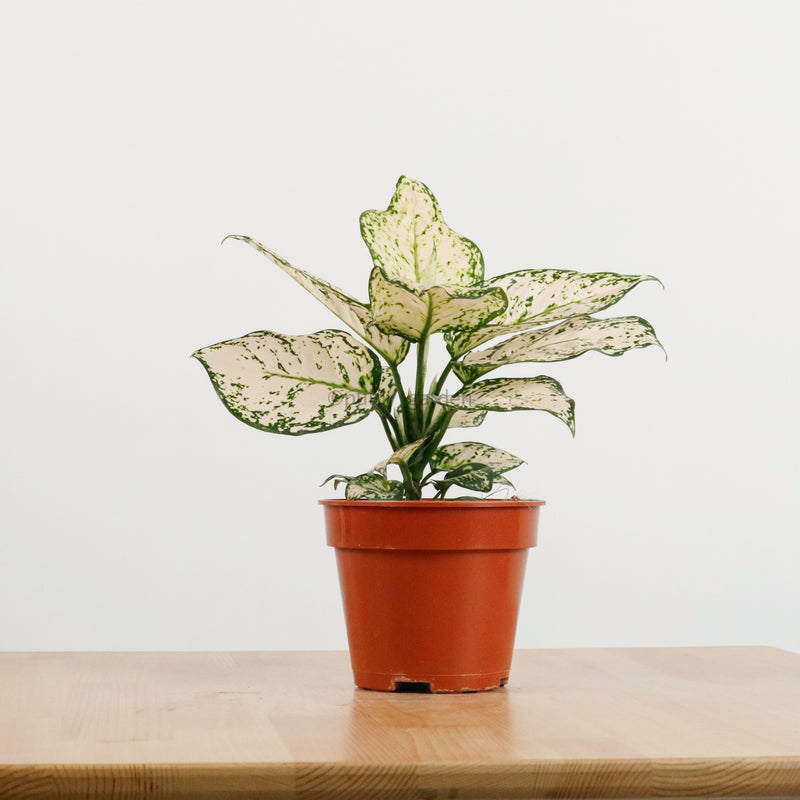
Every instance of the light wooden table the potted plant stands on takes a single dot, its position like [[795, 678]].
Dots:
[[711, 722]]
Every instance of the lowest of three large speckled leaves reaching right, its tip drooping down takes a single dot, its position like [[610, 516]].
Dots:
[[514, 394]]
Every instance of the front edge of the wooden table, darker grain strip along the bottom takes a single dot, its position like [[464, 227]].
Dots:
[[540, 778]]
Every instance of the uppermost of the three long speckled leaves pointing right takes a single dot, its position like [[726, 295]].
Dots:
[[540, 296]]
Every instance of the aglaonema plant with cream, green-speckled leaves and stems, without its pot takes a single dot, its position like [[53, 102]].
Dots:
[[425, 280]]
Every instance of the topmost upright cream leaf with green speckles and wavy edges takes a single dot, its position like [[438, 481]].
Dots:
[[412, 243]]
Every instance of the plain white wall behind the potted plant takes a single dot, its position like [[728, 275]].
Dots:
[[635, 136]]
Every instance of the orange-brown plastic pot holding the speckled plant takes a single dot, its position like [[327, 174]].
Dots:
[[431, 589]]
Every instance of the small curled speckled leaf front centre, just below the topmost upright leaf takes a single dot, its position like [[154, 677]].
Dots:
[[413, 312]]
